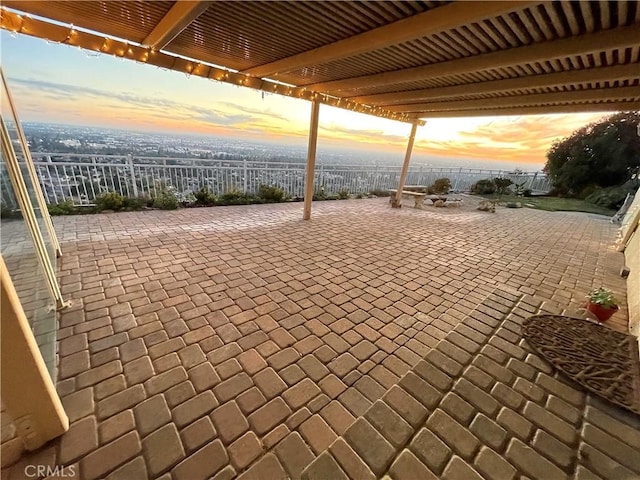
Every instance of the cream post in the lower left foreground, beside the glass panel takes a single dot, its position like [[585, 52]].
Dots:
[[27, 390]]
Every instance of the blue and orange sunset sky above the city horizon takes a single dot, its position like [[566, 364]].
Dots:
[[61, 84]]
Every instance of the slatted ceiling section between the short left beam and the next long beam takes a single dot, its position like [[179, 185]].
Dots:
[[247, 34]]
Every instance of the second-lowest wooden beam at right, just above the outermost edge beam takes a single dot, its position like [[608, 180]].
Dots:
[[601, 94]]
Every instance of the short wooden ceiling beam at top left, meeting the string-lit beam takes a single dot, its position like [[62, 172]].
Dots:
[[175, 21]]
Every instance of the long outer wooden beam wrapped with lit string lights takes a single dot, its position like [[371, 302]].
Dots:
[[68, 35]]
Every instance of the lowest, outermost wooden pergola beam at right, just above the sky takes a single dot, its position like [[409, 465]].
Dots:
[[543, 110]]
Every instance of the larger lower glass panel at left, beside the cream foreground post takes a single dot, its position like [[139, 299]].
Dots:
[[23, 264]]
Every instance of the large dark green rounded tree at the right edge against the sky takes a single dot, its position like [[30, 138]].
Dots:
[[603, 154]]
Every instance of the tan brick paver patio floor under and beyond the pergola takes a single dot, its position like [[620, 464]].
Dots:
[[244, 342]]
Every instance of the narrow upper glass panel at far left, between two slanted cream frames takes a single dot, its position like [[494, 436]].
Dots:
[[10, 123]]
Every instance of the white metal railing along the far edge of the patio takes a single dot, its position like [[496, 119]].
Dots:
[[80, 178]]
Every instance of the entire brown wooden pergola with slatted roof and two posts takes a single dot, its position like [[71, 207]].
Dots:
[[403, 60]]
